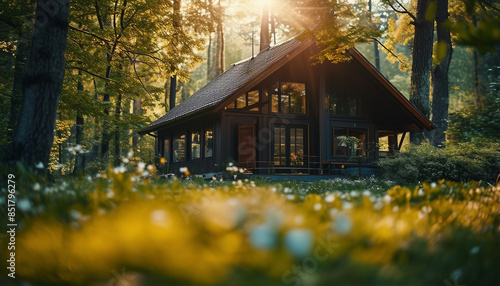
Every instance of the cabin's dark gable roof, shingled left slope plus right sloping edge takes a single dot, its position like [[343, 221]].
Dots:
[[245, 74]]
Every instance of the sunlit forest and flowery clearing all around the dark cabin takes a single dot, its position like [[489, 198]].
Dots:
[[86, 200]]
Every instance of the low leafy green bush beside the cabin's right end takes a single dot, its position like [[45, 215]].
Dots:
[[479, 161]]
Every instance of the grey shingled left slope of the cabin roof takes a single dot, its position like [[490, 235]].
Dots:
[[230, 82]]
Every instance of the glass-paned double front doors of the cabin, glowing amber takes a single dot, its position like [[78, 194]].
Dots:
[[290, 148]]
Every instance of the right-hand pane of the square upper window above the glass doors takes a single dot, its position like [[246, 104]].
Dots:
[[295, 94]]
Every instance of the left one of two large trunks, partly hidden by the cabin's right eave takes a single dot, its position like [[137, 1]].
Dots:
[[421, 65]]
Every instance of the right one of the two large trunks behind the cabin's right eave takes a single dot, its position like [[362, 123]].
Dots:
[[440, 83]]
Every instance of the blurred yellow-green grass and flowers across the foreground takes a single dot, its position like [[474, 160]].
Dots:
[[119, 229]]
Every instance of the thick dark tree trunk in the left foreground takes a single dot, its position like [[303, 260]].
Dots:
[[42, 85]]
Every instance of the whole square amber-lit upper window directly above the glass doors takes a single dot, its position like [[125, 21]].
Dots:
[[288, 97]]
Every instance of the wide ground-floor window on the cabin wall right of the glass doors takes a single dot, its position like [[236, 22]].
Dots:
[[350, 142]]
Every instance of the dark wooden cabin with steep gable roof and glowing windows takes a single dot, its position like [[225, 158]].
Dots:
[[276, 113]]
